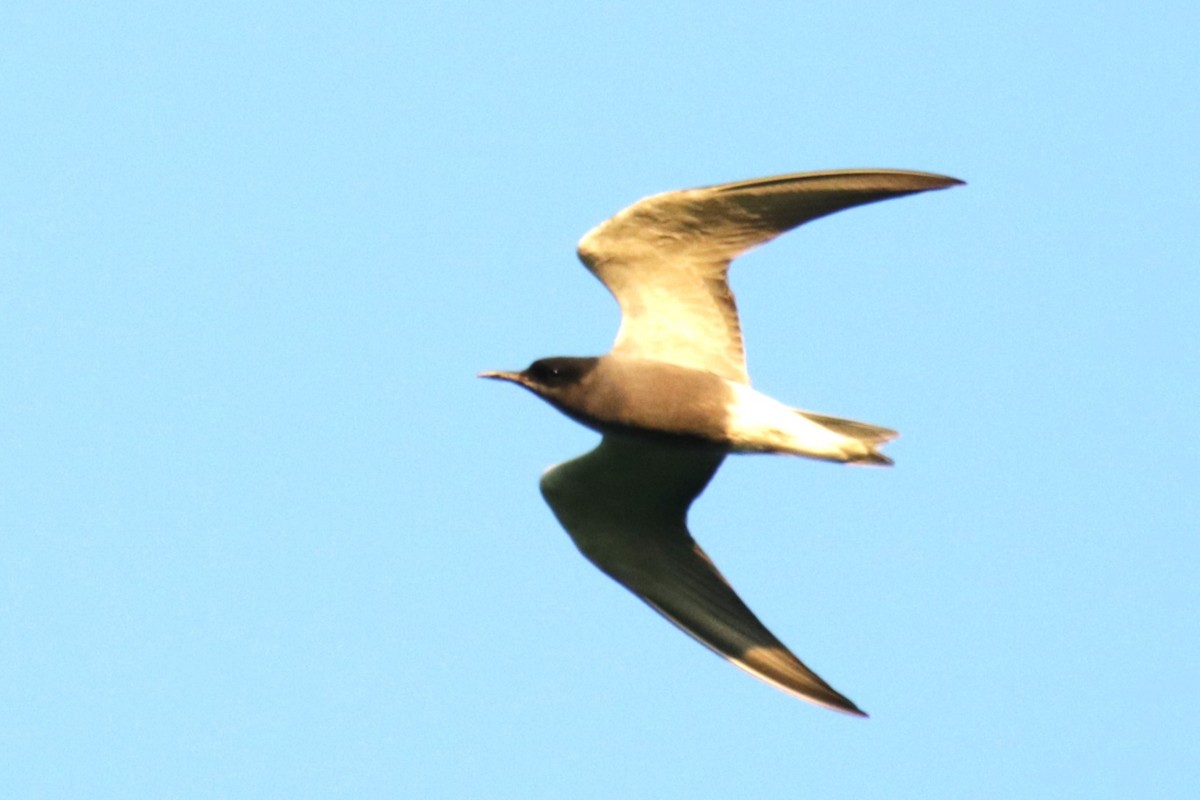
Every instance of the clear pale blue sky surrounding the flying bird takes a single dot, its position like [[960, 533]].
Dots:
[[265, 534]]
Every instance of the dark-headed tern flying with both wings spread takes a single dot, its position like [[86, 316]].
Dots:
[[673, 399]]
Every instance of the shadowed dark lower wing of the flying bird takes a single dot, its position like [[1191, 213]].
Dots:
[[626, 506]]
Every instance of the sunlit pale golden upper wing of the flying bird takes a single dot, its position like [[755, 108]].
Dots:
[[665, 258]]
